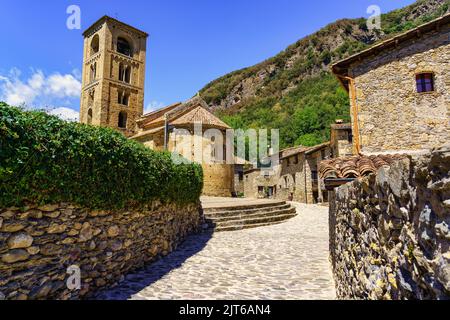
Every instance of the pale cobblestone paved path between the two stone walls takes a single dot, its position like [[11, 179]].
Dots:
[[286, 261]]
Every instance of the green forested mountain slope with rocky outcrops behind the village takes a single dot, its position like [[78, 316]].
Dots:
[[295, 91]]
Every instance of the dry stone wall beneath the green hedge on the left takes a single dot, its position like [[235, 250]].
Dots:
[[38, 245]]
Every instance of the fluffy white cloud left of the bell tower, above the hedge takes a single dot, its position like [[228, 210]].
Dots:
[[38, 90]]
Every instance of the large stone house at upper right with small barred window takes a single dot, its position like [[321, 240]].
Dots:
[[400, 91]]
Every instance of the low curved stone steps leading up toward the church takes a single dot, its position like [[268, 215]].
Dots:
[[246, 216]]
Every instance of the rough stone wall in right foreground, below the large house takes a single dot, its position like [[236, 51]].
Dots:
[[389, 233]]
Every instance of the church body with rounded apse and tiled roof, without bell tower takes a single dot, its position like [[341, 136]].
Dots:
[[159, 130]]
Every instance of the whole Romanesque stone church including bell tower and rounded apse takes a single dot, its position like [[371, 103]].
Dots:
[[112, 95]]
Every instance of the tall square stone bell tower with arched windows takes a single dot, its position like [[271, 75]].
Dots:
[[113, 75]]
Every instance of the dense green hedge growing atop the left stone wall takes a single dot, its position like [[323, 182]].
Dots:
[[45, 160]]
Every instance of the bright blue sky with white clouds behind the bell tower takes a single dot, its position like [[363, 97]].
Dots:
[[191, 42]]
